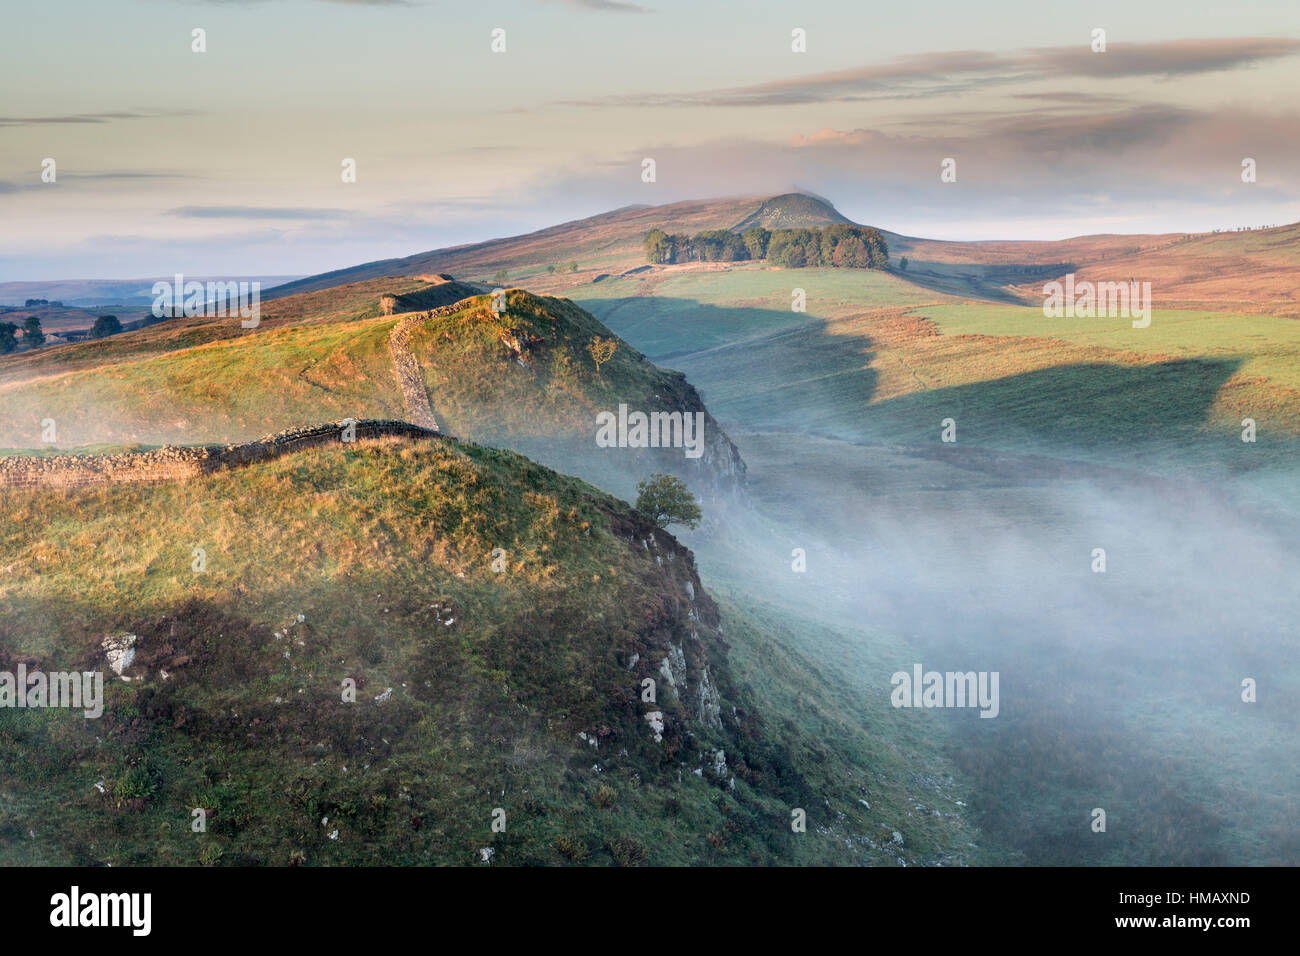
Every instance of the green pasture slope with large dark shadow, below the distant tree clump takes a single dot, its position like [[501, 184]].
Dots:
[[870, 364]]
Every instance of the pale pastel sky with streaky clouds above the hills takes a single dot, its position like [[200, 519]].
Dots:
[[228, 162]]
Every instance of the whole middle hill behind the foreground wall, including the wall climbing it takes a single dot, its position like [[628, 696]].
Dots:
[[523, 379]]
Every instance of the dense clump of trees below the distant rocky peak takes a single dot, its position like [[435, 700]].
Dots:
[[839, 246]]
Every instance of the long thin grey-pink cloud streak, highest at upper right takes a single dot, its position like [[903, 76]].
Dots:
[[965, 71]]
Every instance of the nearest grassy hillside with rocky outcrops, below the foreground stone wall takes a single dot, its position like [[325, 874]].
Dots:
[[385, 550]]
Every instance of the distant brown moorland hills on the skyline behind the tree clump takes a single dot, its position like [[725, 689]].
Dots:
[[1249, 271]]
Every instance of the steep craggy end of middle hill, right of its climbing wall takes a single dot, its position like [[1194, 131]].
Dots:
[[539, 375]]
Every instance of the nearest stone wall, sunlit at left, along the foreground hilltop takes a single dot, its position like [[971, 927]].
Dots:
[[172, 464]]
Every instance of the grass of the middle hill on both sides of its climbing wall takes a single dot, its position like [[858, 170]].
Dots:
[[330, 369]]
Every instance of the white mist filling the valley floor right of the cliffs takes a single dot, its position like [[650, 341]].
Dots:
[[1120, 690]]
